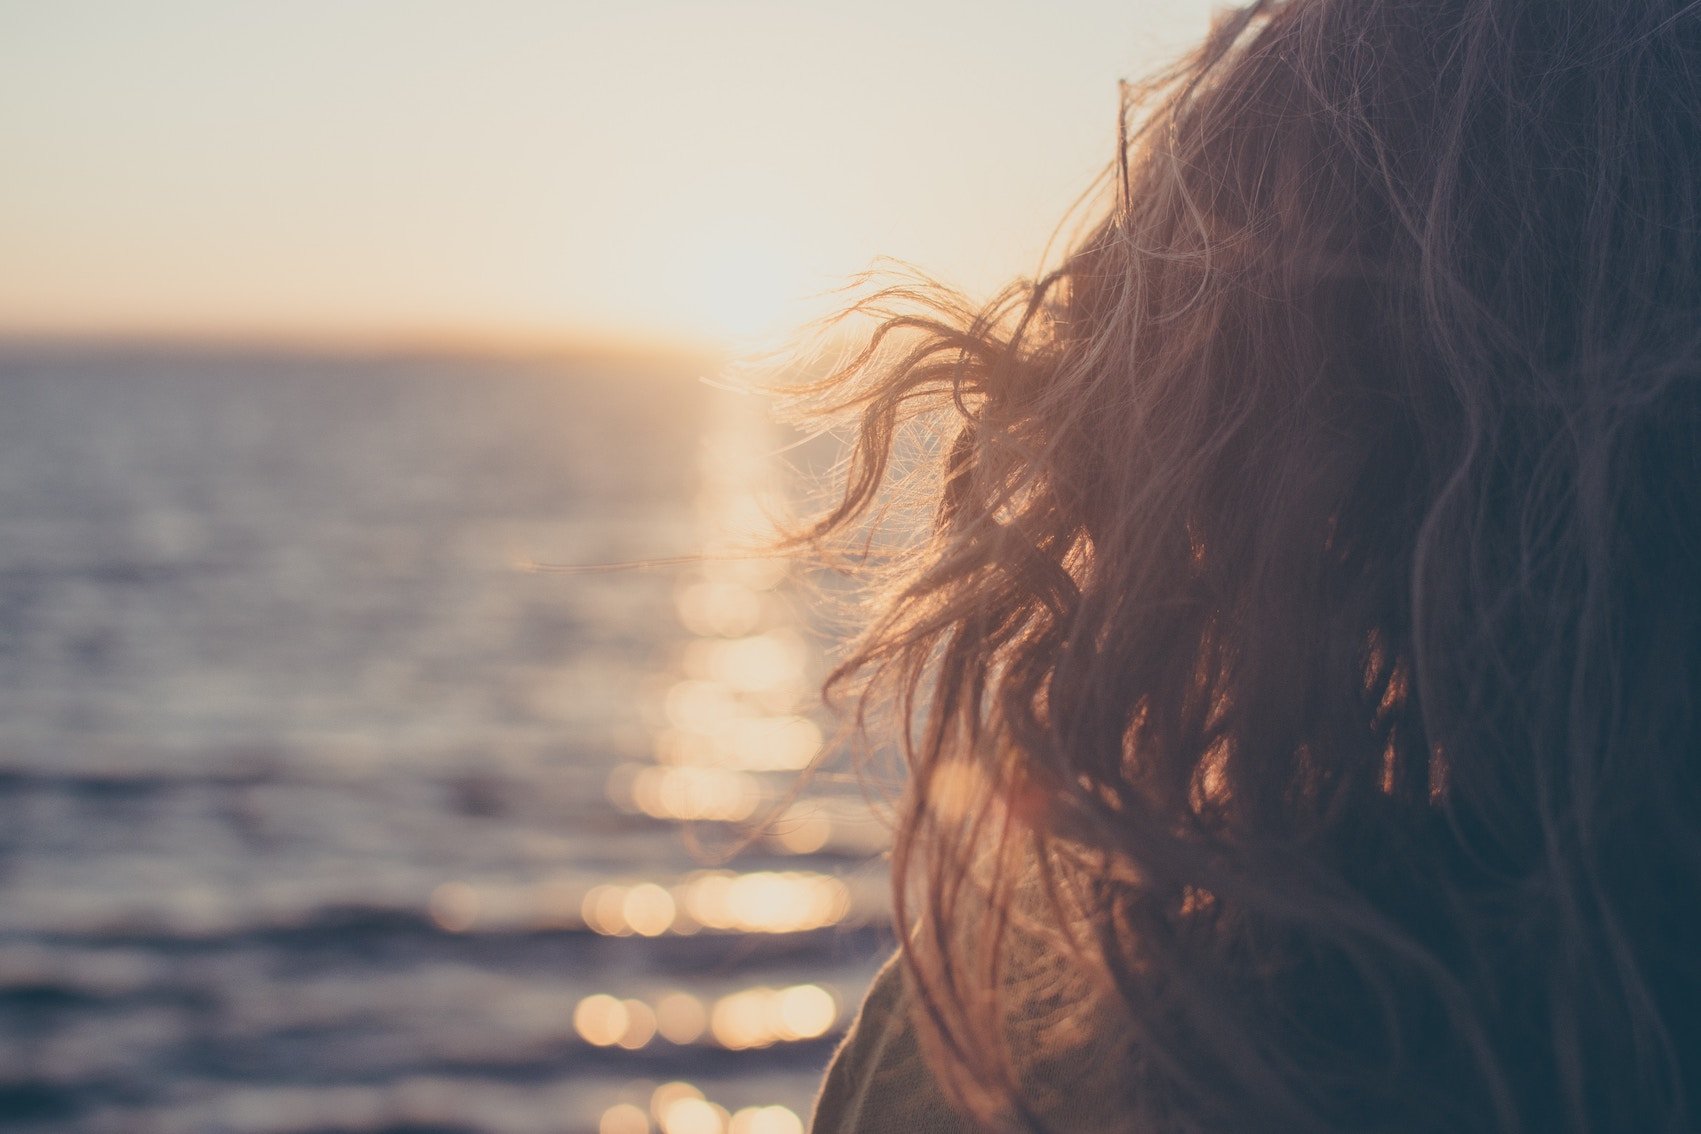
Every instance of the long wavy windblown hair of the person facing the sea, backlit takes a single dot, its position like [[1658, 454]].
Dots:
[[1299, 672]]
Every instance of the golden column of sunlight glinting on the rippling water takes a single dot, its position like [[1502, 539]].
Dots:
[[732, 734]]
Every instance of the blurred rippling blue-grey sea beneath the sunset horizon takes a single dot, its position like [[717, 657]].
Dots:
[[322, 810]]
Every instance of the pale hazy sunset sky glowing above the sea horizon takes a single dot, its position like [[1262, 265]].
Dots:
[[516, 171]]
